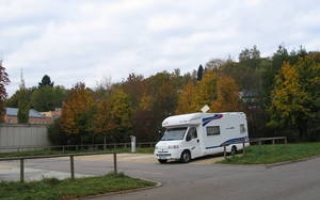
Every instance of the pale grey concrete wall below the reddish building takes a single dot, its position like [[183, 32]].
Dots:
[[13, 136]]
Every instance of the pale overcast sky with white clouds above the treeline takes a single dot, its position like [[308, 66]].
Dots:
[[94, 40]]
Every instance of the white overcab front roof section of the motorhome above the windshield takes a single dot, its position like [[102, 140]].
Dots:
[[185, 119]]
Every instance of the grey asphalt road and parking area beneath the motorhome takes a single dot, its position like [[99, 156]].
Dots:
[[201, 179]]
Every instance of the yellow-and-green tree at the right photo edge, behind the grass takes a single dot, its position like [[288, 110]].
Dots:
[[294, 96]]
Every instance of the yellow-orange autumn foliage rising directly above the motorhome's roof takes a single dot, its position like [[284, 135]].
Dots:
[[220, 93]]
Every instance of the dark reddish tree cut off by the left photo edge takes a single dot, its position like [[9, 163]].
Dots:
[[4, 80]]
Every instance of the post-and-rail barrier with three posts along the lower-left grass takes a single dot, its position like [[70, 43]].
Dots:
[[71, 156]]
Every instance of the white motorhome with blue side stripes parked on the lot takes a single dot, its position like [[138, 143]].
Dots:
[[190, 136]]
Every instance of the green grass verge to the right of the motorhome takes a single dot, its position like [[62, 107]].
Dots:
[[267, 154]]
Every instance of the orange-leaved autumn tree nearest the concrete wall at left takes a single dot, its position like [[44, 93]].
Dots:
[[78, 111]]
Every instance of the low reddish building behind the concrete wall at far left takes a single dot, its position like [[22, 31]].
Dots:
[[35, 117]]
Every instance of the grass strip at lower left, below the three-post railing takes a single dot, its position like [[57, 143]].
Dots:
[[54, 189]]
